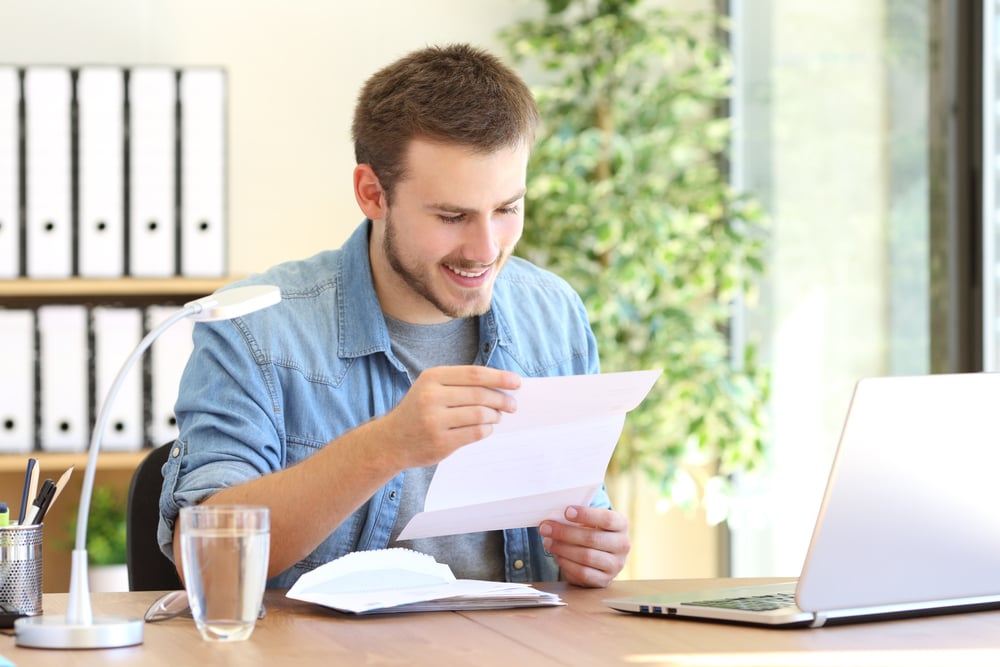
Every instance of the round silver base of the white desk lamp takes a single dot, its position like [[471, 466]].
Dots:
[[56, 632]]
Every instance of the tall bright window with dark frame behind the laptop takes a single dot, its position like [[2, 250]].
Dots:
[[853, 130]]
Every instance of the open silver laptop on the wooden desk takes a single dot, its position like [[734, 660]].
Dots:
[[909, 523]]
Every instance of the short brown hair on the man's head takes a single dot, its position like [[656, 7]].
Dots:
[[455, 94]]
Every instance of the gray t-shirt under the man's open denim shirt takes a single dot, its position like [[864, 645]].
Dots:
[[472, 555]]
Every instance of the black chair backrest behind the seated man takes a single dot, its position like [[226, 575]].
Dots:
[[148, 568]]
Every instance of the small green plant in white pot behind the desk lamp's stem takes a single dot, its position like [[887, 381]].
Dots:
[[106, 527]]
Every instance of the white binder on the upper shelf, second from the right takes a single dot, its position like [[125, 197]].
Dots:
[[152, 104]]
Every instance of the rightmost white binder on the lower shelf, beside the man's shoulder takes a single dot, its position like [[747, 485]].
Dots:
[[168, 356]]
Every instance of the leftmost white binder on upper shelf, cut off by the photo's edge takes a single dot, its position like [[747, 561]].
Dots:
[[10, 223]]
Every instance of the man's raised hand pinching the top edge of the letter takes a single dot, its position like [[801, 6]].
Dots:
[[448, 407]]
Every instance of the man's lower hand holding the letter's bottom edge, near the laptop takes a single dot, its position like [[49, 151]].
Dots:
[[592, 550]]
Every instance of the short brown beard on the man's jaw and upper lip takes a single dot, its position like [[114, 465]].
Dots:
[[420, 281]]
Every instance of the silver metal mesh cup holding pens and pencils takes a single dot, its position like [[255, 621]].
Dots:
[[21, 568]]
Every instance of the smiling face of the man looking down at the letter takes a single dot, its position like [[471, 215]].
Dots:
[[454, 221]]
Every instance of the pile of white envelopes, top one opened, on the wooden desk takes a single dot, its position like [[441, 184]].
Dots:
[[395, 580]]
